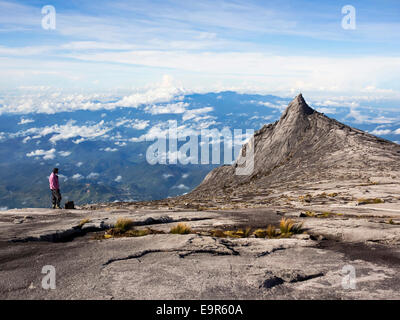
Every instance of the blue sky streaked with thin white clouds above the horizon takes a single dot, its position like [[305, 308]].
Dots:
[[278, 47]]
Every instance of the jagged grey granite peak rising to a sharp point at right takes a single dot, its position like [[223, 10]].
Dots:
[[304, 146]]
